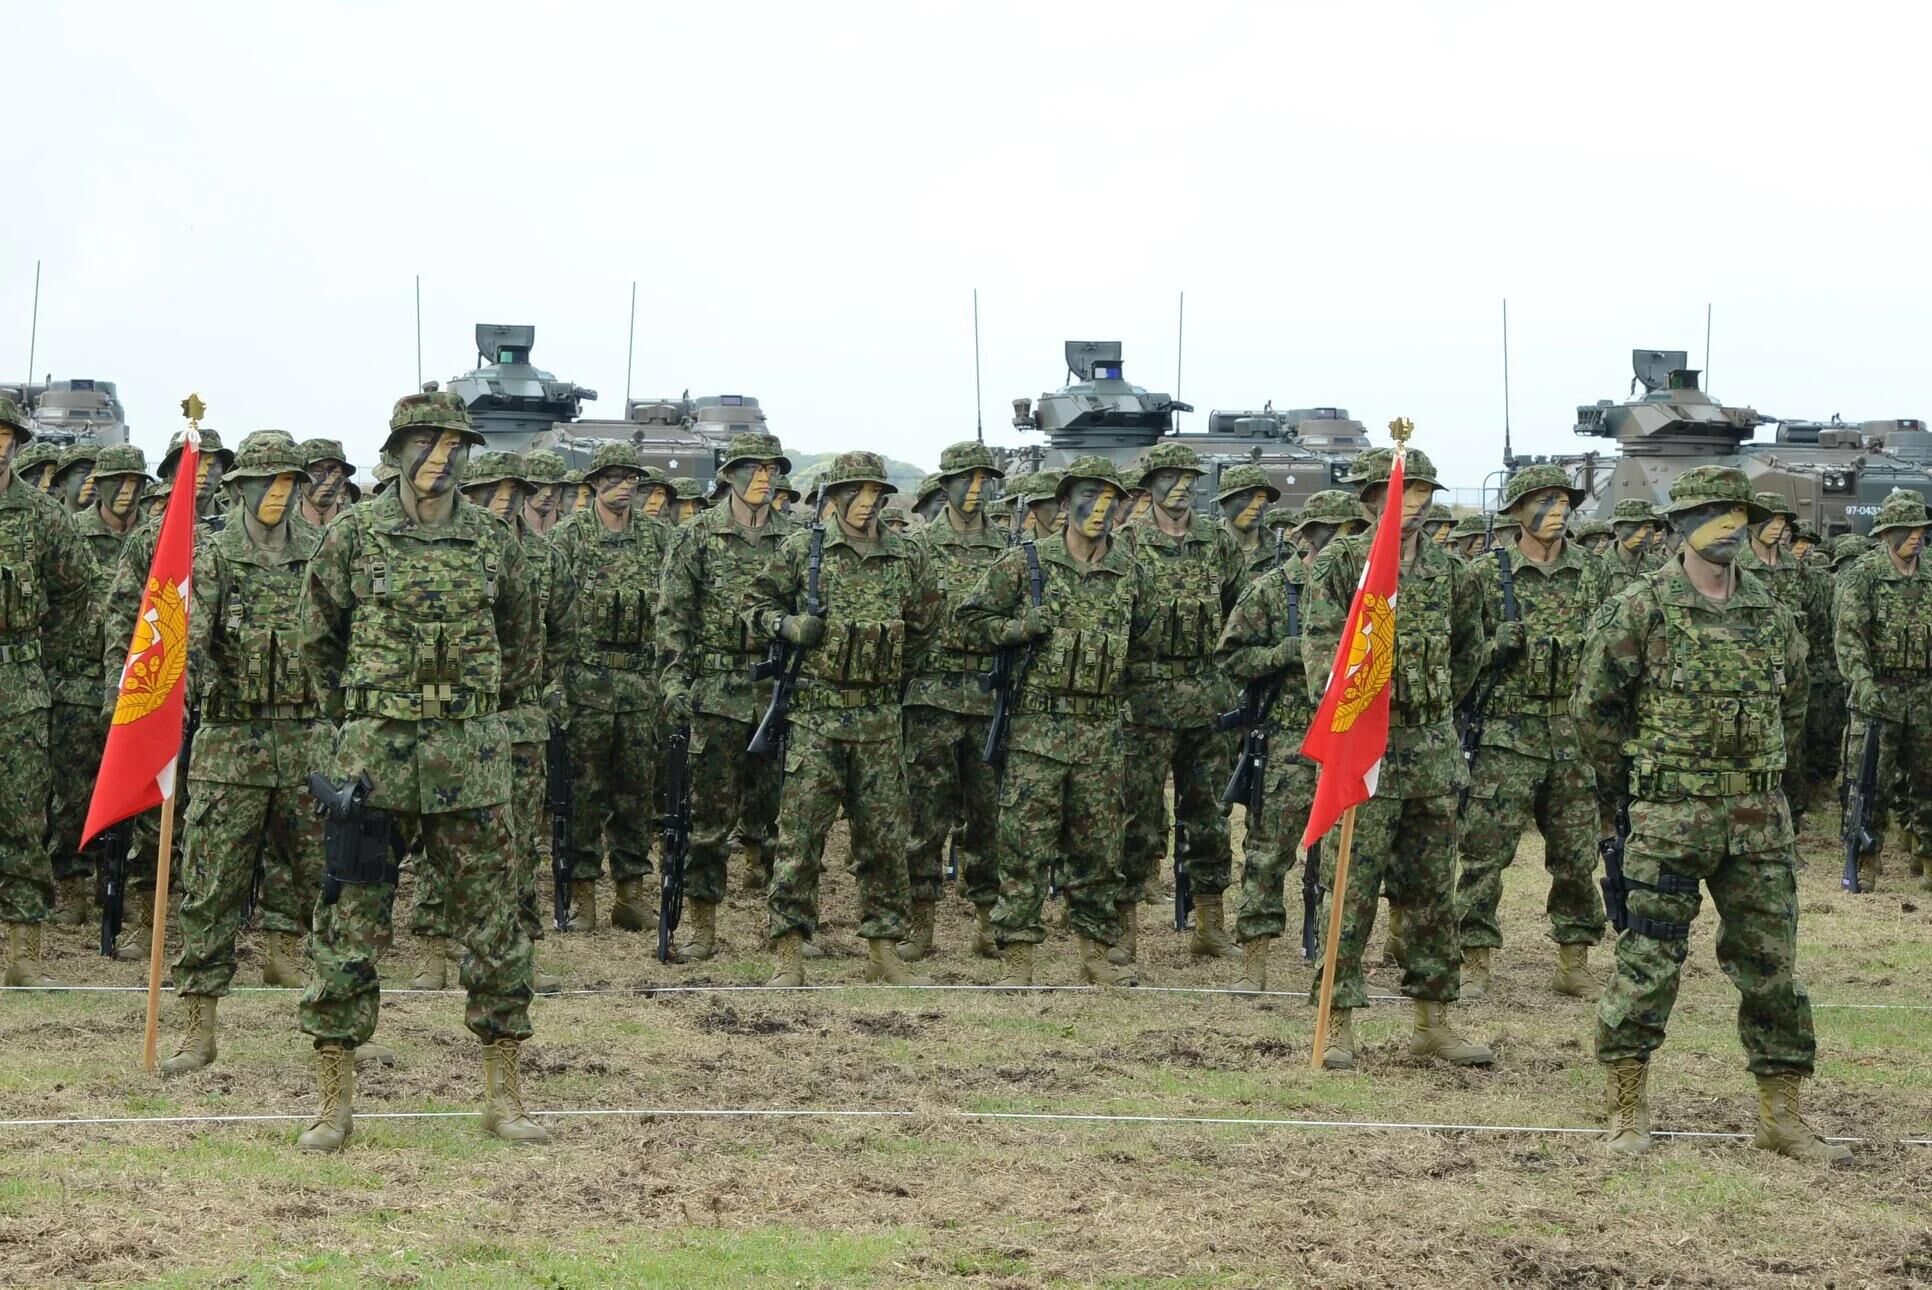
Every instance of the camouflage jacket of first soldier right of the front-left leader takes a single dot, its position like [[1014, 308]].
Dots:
[[611, 652]]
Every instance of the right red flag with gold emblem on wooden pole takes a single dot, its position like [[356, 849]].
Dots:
[[1351, 729]]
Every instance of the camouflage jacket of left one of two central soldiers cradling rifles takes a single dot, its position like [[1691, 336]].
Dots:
[[880, 603]]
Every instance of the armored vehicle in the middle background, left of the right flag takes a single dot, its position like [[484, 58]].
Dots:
[[1100, 412]]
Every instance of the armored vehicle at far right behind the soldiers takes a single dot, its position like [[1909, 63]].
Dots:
[[1834, 472]]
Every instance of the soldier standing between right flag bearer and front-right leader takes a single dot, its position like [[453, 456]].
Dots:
[[1539, 596]]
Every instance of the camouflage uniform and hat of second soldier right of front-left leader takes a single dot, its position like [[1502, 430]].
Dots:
[[708, 654]]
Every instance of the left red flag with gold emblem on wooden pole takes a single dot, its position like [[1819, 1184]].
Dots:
[[146, 739]]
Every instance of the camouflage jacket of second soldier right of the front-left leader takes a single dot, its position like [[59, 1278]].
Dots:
[[704, 646]]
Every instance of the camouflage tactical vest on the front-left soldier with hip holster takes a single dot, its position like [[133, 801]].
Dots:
[[424, 638]]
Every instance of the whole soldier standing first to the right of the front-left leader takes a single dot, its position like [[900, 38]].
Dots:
[[613, 557]]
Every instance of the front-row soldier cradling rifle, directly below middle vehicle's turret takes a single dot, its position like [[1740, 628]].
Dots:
[[1064, 787]]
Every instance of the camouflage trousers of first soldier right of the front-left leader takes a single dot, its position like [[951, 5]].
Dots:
[[613, 758]]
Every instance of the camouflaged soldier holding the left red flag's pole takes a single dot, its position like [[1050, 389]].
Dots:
[[262, 737]]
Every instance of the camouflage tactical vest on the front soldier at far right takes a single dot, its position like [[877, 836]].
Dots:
[[1711, 706]]
